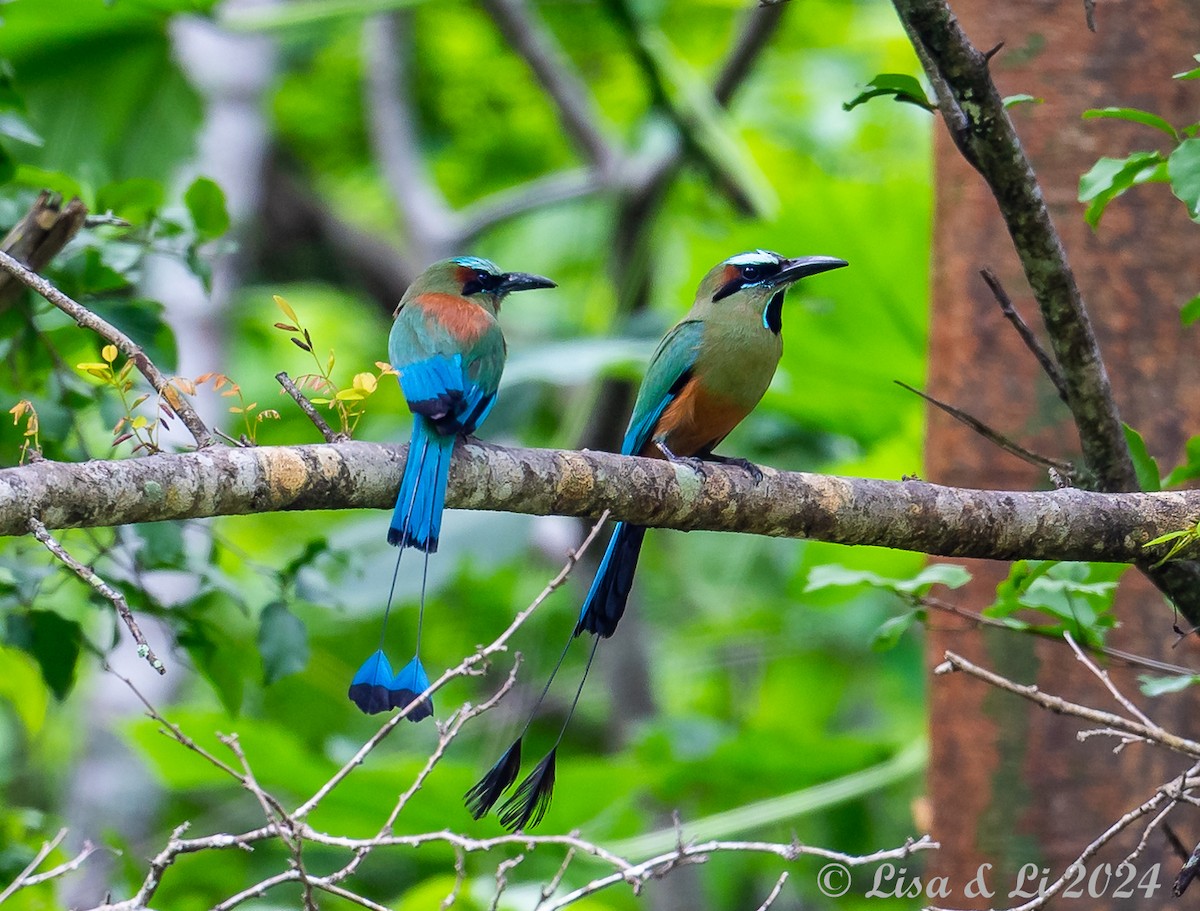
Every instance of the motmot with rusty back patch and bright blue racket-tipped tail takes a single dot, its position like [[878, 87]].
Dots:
[[448, 351]]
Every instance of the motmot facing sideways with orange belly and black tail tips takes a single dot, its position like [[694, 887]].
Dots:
[[709, 373]]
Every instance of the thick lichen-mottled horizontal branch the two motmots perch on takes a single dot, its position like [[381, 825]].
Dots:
[[1067, 524]]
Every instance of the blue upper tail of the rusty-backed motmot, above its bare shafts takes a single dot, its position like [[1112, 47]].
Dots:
[[417, 520]]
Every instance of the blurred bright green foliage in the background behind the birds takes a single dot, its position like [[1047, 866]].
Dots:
[[764, 685]]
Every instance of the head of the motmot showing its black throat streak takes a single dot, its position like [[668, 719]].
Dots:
[[757, 283]]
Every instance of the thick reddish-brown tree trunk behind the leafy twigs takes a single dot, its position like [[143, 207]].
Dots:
[[1010, 784]]
